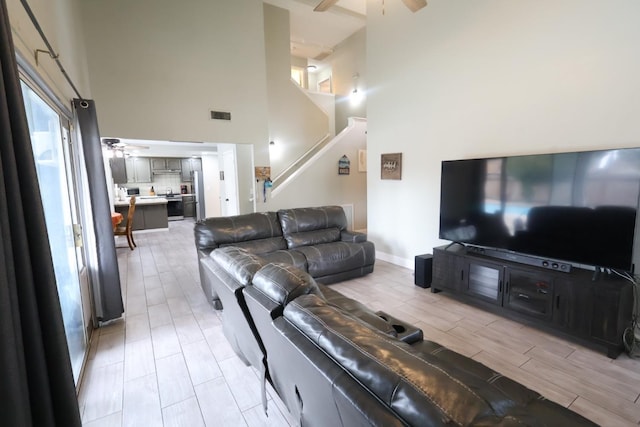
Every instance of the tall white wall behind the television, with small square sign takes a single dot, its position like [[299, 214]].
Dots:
[[462, 79]]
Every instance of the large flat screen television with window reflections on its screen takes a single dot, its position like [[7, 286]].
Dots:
[[579, 208]]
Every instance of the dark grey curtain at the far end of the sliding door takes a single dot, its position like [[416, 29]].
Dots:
[[107, 294]]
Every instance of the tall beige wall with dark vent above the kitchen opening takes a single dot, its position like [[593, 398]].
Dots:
[[158, 68]]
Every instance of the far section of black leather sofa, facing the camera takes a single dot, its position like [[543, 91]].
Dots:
[[313, 239]]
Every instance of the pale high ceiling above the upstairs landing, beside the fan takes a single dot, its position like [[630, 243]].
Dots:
[[314, 35]]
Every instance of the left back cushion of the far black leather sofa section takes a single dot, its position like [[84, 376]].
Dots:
[[258, 232]]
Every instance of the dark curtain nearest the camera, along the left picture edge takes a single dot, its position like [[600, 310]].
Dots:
[[36, 381]]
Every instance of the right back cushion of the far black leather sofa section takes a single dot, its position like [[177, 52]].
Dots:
[[312, 226]]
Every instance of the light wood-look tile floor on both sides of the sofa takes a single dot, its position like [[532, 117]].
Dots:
[[167, 363]]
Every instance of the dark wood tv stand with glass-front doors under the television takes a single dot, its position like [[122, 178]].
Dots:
[[593, 310]]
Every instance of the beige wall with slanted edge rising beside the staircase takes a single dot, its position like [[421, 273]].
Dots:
[[295, 122]]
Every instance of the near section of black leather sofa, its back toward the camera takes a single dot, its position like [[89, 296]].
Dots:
[[334, 362]]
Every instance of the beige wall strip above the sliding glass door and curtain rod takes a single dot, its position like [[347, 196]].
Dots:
[[61, 23]]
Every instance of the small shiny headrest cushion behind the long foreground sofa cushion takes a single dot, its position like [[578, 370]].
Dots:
[[283, 283]]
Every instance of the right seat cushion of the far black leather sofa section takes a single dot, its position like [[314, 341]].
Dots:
[[332, 258]]
